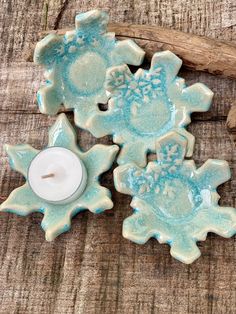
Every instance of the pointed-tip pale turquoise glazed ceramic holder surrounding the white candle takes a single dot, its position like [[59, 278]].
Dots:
[[57, 218]]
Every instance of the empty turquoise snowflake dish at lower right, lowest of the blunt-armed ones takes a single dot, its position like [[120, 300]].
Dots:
[[173, 201]]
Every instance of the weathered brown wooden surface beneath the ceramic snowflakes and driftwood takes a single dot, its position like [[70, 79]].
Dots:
[[93, 269]]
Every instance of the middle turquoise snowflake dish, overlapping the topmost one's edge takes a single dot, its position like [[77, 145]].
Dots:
[[147, 105]]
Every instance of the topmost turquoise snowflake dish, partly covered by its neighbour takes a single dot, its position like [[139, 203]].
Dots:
[[76, 65]]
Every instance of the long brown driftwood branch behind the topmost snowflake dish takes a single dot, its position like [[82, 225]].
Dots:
[[197, 52]]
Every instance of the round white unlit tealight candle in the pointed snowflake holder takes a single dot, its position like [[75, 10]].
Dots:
[[57, 175]]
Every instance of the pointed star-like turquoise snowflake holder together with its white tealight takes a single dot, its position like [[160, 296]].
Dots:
[[61, 180]]
